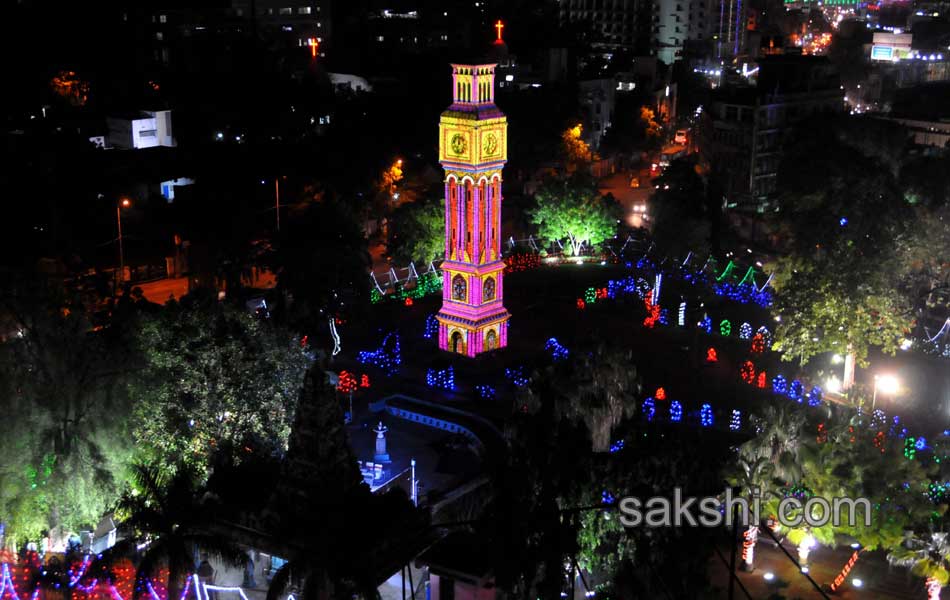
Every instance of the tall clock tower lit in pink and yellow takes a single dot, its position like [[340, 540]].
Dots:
[[473, 151]]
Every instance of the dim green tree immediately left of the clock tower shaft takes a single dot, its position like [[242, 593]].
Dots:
[[417, 232]]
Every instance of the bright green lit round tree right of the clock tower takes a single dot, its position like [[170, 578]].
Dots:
[[573, 209]]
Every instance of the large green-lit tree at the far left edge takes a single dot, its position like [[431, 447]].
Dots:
[[62, 386]]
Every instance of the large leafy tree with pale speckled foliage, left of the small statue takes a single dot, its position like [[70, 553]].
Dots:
[[213, 377]]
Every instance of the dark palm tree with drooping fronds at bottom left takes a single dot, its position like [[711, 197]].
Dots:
[[168, 515]]
